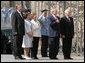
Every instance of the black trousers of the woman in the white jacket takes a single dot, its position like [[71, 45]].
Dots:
[[34, 49]]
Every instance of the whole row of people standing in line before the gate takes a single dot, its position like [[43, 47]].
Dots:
[[28, 29]]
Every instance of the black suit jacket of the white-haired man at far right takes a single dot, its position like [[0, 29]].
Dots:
[[67, 28]]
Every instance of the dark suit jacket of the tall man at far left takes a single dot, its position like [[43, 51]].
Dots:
[[18, 24]]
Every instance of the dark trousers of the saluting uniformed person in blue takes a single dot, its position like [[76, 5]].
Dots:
[[44, 45]]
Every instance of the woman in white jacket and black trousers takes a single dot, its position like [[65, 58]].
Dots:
[[36, 36]]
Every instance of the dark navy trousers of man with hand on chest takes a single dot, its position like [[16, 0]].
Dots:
[[53, 47]]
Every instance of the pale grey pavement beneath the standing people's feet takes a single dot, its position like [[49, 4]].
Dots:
[[10, 58]]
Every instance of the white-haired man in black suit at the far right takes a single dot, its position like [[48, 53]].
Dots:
[[67, 32]]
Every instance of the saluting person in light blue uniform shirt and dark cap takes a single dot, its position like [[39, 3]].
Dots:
[[44, 32]]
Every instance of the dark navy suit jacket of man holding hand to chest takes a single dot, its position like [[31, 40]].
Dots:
[[54, 27]]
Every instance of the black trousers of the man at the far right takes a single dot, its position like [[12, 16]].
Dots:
[[67, 43]]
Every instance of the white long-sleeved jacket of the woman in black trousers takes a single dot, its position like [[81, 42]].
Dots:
[[36, 28]]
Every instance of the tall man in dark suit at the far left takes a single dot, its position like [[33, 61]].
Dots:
[[18, 31]]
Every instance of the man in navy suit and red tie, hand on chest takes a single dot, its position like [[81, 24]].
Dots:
[[54, 34]]
